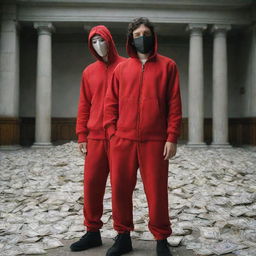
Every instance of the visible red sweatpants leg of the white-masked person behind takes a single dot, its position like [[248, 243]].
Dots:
[[96, 170]]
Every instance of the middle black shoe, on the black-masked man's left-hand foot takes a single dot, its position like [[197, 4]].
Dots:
[[122, 245]]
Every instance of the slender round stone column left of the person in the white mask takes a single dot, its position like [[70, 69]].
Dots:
[[43, 85]]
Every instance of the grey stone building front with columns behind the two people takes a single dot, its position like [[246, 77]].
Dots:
[[43, 51]]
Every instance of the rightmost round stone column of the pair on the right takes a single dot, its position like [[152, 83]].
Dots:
[[220, 87]]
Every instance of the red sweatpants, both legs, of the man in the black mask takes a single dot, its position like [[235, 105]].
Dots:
[[125, 158]]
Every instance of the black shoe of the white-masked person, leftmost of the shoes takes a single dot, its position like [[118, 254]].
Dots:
[[87, 241]]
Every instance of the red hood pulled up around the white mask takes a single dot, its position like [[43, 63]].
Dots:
[[106, 35]]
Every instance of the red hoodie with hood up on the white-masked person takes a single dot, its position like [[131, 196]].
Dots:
[[95, 77]]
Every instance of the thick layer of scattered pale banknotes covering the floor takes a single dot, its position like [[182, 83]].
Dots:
[[212, 200]]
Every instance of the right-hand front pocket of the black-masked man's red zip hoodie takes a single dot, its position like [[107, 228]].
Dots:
[[152, 118]]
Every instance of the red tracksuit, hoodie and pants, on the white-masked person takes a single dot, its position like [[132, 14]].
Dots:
[[89, 127]]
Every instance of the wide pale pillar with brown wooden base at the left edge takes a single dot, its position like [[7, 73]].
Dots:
[[9, 79]]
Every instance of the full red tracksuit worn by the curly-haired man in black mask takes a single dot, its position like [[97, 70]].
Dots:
[[143, 110]]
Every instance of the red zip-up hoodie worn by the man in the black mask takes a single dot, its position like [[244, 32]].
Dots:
[[143, 102]]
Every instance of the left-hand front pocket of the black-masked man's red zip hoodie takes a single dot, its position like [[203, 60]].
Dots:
[[127, 114]]
